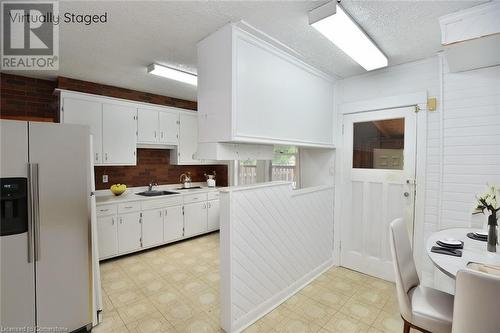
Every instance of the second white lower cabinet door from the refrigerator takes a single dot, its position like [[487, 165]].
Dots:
[[129, 232]]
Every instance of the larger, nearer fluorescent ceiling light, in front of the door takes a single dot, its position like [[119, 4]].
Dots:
[[335, 24]]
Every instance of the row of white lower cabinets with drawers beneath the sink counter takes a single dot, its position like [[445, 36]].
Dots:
[[131, 226]]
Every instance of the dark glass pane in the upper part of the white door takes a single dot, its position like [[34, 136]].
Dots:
[[379, 144]]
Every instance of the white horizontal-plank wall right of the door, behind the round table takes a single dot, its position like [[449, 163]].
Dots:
[[471, 145]]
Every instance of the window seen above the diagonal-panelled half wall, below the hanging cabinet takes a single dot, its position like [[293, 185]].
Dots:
[[284, 166]]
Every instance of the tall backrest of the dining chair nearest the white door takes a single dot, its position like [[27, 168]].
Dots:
[[405, 272]]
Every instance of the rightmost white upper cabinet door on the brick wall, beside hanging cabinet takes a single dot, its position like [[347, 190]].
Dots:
[[188, 138]]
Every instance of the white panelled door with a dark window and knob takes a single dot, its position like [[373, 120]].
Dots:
[[379, 177]]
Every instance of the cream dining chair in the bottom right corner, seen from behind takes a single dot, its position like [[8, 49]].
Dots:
[[477, 302]]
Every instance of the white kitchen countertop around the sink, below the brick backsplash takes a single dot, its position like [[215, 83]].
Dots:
[[106, 197]]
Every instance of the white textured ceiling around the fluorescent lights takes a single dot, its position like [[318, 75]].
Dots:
[[139, 33]]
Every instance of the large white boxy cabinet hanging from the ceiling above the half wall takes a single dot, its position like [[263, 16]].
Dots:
[[252, 89]]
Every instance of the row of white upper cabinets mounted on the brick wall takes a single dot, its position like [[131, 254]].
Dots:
[[119, 126]]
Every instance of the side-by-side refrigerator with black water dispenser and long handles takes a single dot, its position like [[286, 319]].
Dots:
[[45, 252]]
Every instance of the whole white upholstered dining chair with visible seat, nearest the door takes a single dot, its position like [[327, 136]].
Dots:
[[424, 309]]
